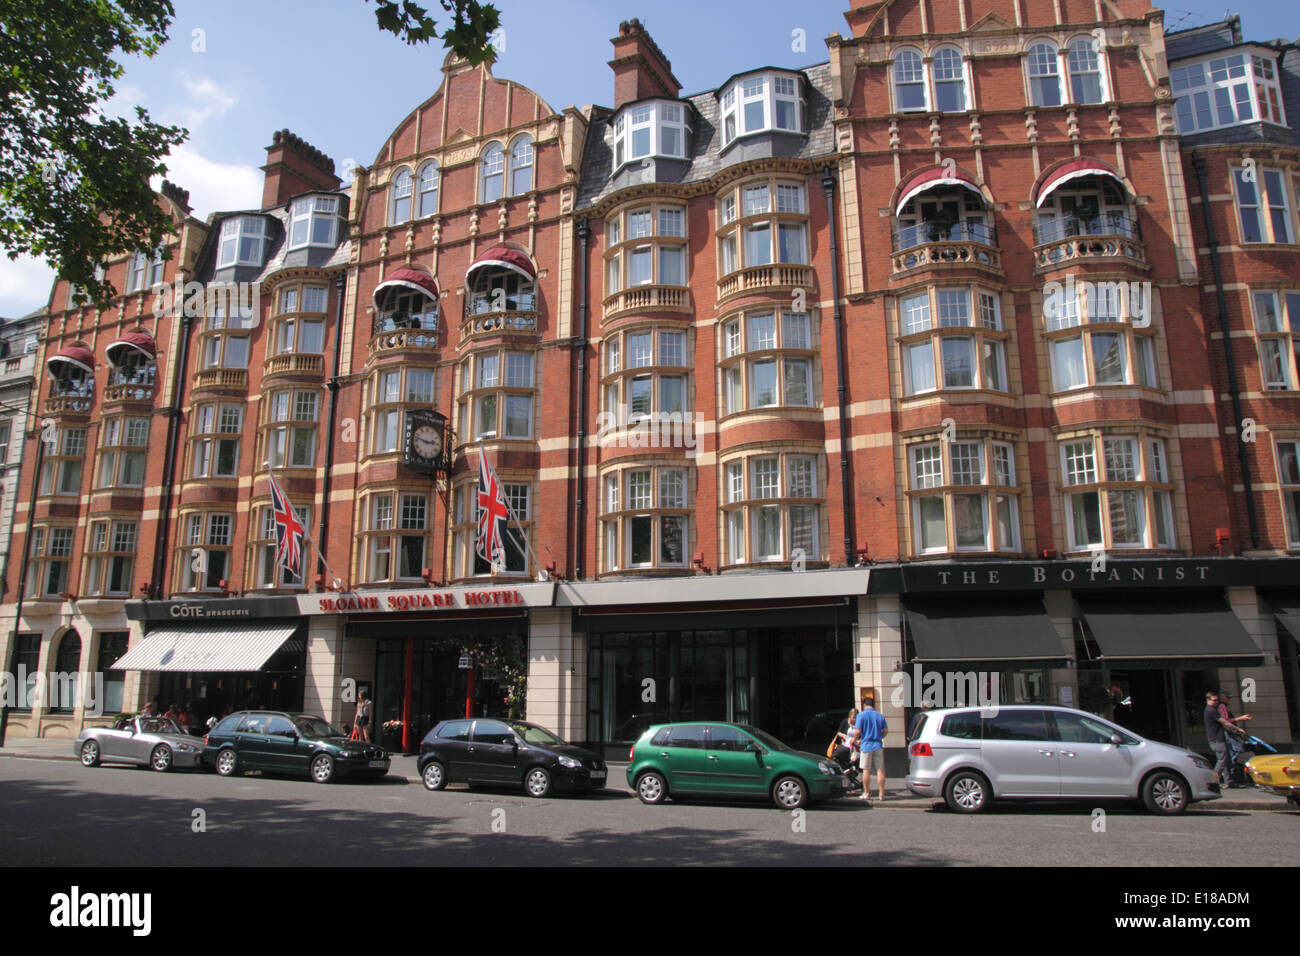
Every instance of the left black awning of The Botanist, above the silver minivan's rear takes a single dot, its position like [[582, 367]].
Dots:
[[1009, 630]]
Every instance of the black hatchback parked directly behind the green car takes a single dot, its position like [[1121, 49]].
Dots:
[[508, 754]]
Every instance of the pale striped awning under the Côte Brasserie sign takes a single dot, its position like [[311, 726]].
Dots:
[[227, 648]]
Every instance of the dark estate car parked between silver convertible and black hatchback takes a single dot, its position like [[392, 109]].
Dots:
[[283, 743]]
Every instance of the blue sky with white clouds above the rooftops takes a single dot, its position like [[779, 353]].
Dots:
[[323, 70]]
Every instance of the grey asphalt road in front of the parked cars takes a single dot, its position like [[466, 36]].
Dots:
[[60, 814]]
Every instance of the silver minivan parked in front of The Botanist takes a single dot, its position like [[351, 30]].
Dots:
[[973, 758]]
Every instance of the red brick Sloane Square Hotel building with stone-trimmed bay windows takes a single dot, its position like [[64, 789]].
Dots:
[[794, 386]]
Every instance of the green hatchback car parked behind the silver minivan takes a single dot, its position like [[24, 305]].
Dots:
[[729, 760]]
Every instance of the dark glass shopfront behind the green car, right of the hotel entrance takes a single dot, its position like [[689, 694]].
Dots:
[[787, 681]]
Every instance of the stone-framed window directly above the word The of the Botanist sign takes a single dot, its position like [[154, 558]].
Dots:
[[964, 498]]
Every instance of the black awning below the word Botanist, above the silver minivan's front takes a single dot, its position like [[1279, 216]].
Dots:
[[1189, 628]]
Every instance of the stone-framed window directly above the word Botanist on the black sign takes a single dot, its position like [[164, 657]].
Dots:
[[1117, 494]]
